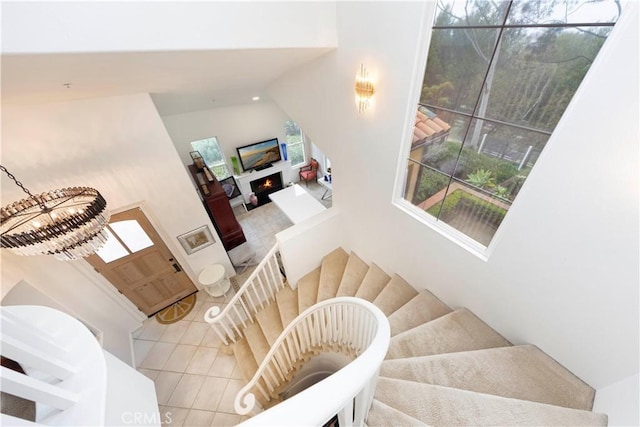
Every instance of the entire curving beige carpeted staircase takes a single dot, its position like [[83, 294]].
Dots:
[[443, 367]]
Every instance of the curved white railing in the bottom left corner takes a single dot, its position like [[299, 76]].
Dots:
[[65, 369]]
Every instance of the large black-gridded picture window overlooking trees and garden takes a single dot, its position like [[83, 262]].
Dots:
[[499, 76]]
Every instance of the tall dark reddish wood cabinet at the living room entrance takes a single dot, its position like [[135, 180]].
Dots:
[[217, 205]]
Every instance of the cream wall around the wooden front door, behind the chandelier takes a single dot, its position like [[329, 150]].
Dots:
[[119, 146]]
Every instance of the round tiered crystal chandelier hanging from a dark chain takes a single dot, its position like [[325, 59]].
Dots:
[[67, 223]]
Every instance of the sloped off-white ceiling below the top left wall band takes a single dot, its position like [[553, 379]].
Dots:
[[178, 81]]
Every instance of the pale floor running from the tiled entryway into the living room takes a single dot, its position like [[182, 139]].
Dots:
[[195, 381]]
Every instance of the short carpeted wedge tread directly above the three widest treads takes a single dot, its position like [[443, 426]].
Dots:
[[422, 308]]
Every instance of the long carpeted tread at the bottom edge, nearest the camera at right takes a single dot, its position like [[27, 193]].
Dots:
[[437, 405]]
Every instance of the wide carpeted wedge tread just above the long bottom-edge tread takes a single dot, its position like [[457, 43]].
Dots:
[[519, 372]]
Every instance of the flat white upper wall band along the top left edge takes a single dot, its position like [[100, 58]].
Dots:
[[34, 27]]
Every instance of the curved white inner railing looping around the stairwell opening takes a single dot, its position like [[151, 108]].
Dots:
[[344, 324]]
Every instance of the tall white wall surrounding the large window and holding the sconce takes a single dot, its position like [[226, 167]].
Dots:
[[564, 274]]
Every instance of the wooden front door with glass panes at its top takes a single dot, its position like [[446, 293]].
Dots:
[[138, 263]]
